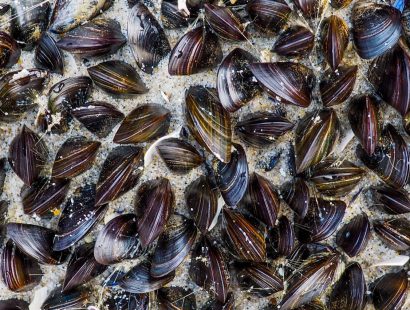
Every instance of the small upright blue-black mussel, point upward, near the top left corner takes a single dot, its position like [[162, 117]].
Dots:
[[48, 56]]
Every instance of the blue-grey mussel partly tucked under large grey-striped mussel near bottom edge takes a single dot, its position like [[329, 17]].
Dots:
[[139, 280]]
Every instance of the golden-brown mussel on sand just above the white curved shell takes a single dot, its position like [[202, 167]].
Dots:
[[143, 124]]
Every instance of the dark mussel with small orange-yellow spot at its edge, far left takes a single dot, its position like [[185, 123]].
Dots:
[[44, 196]]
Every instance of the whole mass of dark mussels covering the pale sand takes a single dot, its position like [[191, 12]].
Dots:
[[243, 207]]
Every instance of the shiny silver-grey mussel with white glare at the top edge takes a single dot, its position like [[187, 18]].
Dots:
[[146, 37]]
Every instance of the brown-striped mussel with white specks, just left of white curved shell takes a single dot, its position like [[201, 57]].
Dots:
[[120, 173]]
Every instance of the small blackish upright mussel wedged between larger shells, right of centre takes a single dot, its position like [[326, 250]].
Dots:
[[296, 195]]
